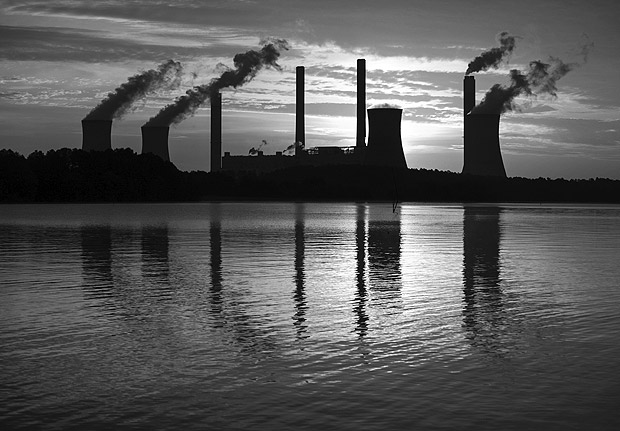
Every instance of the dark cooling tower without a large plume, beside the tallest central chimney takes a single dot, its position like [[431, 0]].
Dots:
[[385, 147]]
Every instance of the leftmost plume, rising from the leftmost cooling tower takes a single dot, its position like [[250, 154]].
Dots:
[[119, 102]]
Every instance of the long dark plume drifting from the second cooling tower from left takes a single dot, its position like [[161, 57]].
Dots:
[[247, 65]]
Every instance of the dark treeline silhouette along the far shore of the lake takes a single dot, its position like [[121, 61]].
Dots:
[[72, 175]]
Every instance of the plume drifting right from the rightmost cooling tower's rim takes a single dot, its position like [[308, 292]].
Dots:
[[541, 78]]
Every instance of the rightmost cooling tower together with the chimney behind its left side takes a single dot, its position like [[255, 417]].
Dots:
[[482, 155]]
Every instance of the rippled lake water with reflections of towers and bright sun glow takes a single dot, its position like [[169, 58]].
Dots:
[[309, 316]]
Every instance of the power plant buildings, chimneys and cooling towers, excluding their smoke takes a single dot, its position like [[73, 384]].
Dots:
[[482, 155]]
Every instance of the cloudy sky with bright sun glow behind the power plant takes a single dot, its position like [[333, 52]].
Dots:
[[59, 59]]
